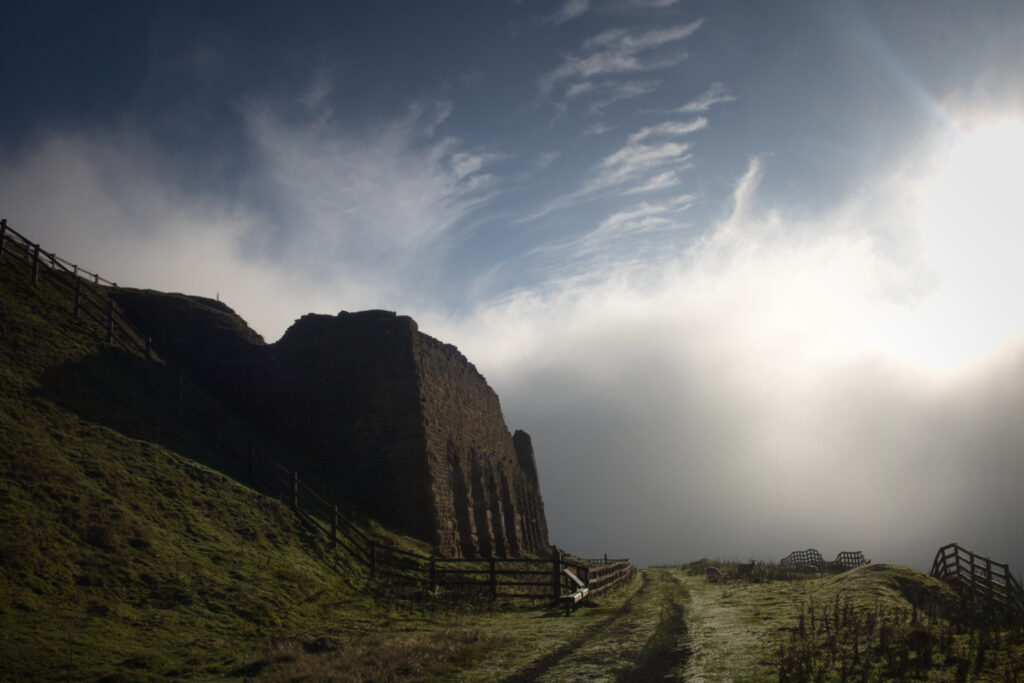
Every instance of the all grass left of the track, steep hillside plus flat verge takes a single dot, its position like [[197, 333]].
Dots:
[[124, 558]]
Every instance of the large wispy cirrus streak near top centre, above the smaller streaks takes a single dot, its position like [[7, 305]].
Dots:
[[619, 52]]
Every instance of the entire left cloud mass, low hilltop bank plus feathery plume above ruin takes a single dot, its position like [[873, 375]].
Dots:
[[364, 220]]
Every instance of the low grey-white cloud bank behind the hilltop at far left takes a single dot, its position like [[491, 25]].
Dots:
[[103, 203]]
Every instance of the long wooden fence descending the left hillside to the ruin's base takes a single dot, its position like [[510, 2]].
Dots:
[[258, 463]]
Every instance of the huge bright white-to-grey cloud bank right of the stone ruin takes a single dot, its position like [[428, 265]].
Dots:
[[755, 376]]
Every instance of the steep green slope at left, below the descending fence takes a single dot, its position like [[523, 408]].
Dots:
[[119, 558]]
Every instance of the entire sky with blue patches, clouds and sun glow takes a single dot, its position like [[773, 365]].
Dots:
[[748, 273]]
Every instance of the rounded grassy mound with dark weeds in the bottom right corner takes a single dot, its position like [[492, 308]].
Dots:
[[883, 622]]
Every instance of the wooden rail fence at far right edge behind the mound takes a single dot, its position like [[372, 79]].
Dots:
[[979, 578]]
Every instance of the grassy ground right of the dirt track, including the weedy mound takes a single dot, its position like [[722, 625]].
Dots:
[[876, 623]]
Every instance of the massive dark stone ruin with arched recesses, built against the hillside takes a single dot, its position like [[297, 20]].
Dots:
[[385, 416]]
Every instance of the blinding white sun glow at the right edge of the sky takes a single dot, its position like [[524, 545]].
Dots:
[[971, 218]]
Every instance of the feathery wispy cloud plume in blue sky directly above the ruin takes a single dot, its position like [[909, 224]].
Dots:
[[374, 201]]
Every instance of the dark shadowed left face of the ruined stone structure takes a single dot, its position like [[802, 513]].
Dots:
[[344, 393]]
